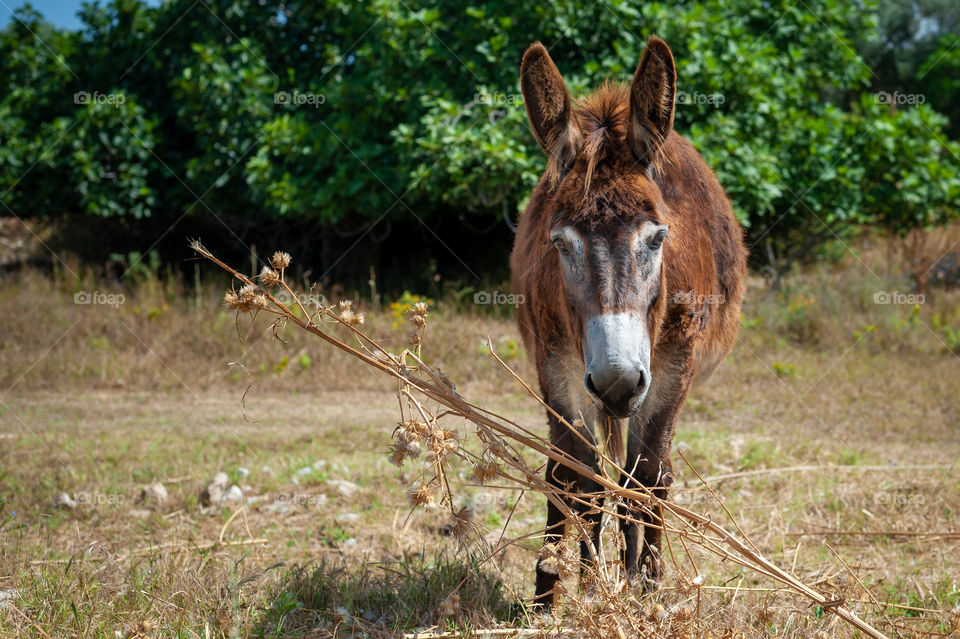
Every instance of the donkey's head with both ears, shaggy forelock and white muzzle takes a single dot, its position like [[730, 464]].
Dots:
[[607, 214]]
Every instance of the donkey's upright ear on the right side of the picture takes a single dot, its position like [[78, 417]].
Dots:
[[652, 95]]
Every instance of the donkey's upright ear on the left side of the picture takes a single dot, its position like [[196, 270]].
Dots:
[[548, 108]]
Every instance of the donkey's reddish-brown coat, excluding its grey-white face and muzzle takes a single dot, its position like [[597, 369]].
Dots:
[[617, 163]]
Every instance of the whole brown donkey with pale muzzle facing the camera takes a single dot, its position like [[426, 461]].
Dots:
[[631, 264]]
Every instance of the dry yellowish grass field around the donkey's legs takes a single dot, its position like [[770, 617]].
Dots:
[[832, 434]]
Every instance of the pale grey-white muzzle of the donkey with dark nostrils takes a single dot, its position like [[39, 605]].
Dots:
[[617, 358]]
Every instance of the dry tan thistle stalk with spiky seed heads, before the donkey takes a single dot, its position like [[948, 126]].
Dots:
[[608, 608]]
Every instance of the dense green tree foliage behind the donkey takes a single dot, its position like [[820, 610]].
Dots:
[[338, 115]]
